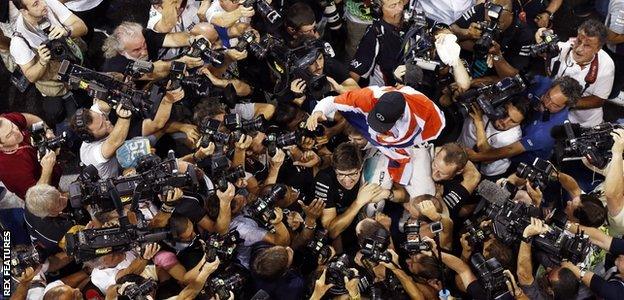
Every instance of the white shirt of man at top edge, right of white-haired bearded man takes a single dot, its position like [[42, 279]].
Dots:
[[186, 21]]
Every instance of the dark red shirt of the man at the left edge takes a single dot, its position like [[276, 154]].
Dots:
[[21, 170]]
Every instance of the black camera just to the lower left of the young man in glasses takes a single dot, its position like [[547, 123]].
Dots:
[[263, 209]]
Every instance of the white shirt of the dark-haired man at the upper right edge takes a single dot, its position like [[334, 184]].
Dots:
[[600, 88]]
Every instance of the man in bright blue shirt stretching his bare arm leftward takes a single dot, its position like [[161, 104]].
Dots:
[[549, 110]]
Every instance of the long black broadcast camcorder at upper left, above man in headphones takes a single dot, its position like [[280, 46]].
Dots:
[[106, 88]]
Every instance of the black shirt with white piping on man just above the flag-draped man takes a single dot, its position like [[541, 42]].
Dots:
[[380, 45]]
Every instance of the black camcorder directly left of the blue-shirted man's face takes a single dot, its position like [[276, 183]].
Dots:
[[491, 99]]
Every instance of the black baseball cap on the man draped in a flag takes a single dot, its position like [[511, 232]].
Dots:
[[387, 111]]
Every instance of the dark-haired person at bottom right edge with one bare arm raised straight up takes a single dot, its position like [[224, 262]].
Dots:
[[561, 282]]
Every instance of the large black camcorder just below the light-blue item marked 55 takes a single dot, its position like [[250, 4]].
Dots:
[[154, 177]]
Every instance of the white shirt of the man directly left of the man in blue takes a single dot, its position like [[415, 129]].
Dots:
[[496, 138]]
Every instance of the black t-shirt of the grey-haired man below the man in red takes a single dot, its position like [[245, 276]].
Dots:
[[47, 232]]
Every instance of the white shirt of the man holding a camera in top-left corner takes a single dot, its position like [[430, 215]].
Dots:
[[24, 51]]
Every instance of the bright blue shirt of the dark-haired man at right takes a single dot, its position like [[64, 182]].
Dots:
[[536, 138]]
